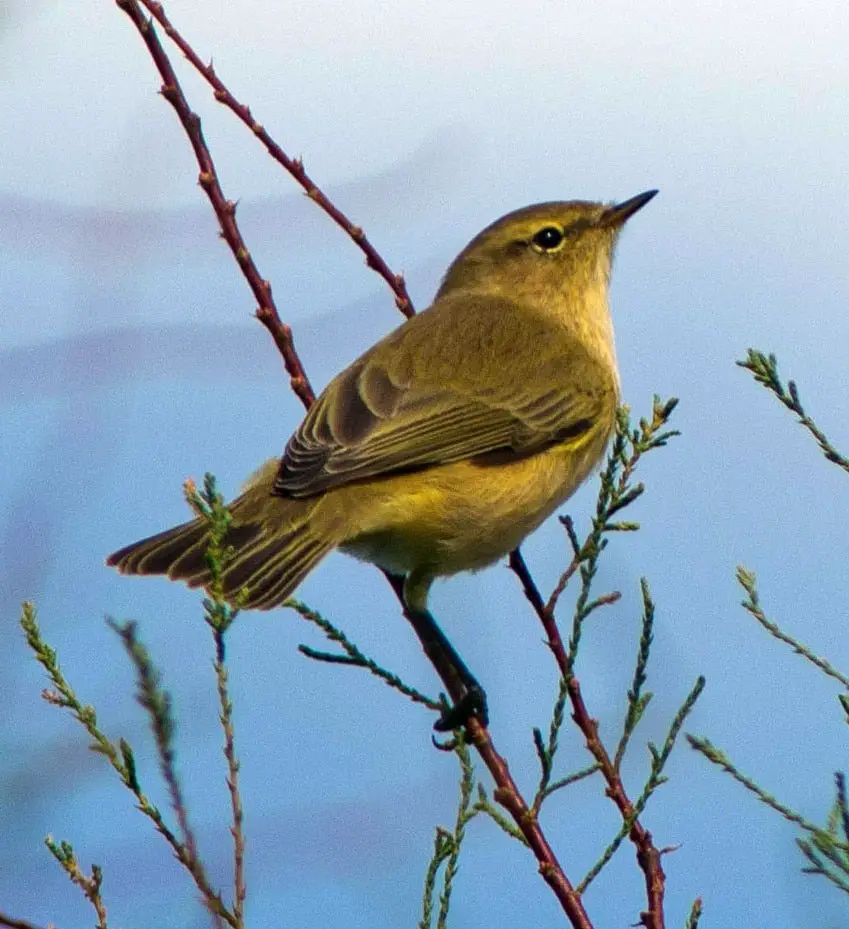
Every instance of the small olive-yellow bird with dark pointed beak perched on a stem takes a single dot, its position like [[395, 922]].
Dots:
[[450, 440]]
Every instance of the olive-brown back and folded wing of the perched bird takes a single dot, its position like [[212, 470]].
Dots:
[[438, 390]]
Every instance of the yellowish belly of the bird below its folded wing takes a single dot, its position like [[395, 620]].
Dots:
[[465, 515]]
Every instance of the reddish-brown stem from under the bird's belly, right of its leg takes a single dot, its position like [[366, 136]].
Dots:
[[648, 856]]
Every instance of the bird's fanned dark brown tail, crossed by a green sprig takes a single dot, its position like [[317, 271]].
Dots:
[[275, 548]]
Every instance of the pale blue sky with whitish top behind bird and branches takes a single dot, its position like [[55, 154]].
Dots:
[[129, 360]]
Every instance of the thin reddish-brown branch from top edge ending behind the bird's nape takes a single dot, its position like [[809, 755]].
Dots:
[[294, 166]]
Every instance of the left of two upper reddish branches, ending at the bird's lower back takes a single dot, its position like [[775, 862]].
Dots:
[[225, 210]]
